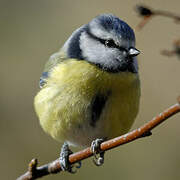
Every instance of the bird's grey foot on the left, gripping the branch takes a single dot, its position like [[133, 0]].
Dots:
[[64, 160]]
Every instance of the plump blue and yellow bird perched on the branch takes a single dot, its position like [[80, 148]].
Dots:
[[90, 89]]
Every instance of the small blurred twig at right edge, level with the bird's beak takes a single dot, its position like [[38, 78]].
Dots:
[[174, 52]]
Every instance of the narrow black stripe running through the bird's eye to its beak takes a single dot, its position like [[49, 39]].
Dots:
[[107, 42]]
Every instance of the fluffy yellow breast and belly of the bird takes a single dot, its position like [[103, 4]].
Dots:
[[63, 105]]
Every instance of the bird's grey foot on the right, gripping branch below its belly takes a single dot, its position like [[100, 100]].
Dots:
[[97, 152]]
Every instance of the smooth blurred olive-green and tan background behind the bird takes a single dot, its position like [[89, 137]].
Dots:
[[30, 31]]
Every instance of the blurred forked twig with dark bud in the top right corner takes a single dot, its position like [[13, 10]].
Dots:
[[147, 13]]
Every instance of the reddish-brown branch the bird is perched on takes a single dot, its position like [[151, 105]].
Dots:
[[35, 172]]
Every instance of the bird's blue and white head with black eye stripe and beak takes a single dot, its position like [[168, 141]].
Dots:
[[107, 42]]
